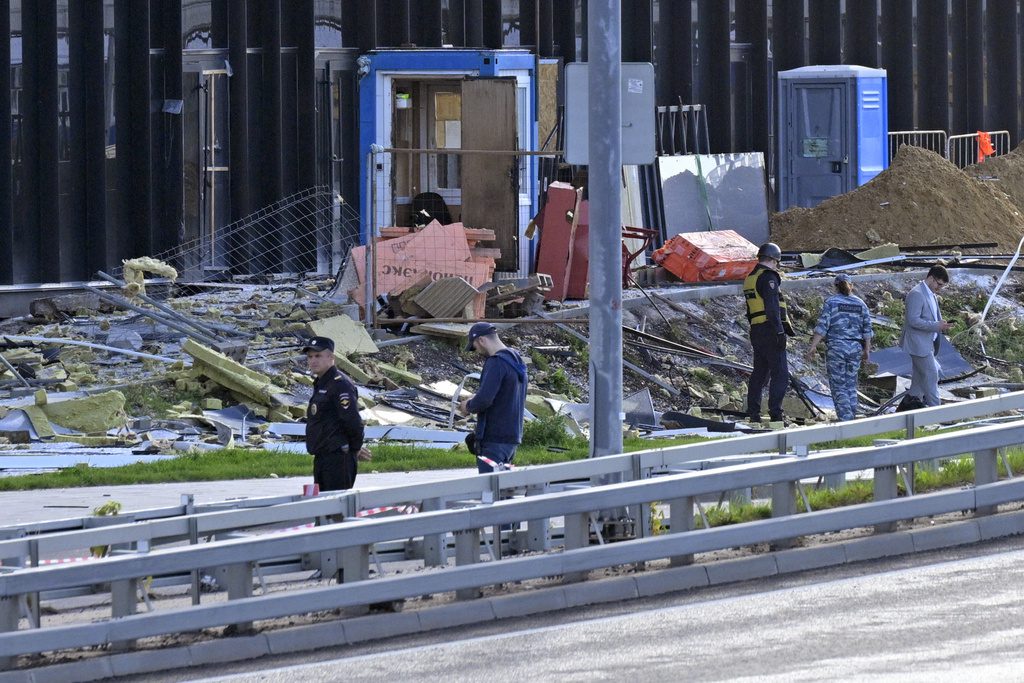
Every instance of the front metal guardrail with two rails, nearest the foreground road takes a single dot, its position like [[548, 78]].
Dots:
[[352, 542]]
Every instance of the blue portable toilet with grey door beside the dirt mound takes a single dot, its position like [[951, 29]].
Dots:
[[833, 132]]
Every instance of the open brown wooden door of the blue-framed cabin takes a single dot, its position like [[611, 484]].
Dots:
[[491, 183]]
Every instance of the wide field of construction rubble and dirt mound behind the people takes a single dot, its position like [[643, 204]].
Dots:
[[147, 369]]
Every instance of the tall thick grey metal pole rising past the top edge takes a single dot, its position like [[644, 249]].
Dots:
[[605, 179]]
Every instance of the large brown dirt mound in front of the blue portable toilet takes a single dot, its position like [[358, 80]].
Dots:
[[921, 199]]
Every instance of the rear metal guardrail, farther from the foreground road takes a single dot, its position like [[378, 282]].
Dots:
[[32, 542]]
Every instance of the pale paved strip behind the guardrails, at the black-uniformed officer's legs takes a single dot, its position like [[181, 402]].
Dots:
[[33, 506]]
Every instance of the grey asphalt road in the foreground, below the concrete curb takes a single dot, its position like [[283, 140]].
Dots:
[[952, 616]]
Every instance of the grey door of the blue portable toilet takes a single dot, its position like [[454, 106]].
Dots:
[[818, 151]]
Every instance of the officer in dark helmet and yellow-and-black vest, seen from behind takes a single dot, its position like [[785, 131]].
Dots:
[[770, 328]]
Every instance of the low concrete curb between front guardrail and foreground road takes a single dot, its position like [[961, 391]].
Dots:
[[375, 627]]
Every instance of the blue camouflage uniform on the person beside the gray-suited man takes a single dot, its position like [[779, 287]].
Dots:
[[844, 324]]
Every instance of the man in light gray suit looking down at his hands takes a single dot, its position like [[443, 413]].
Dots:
[[922, 326]]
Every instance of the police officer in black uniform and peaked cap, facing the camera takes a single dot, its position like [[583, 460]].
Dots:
[[334, 429]]
